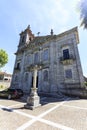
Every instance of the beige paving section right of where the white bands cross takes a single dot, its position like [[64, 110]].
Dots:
[[70, 117]]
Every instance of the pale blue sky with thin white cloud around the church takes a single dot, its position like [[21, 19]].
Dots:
[[42, 16]]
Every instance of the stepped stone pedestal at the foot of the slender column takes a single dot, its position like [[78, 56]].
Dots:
[[33, 100]]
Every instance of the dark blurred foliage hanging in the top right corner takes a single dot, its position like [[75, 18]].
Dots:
[[83, 13]]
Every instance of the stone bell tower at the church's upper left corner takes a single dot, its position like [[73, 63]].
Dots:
[[26, 36]]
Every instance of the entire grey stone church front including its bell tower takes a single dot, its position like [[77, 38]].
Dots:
[[58, 57]]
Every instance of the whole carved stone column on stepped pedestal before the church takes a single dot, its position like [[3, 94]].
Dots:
[[33, 100]]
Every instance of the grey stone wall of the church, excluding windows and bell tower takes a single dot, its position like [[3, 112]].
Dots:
[[57, 80]]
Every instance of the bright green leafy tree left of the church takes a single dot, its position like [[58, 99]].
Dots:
[[3, 58]]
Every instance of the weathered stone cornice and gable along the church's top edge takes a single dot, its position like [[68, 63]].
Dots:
[[39, 40]]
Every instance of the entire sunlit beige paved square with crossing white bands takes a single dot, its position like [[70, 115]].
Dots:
[[54, 114]]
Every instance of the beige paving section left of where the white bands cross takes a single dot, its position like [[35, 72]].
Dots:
[[10, 120]]
